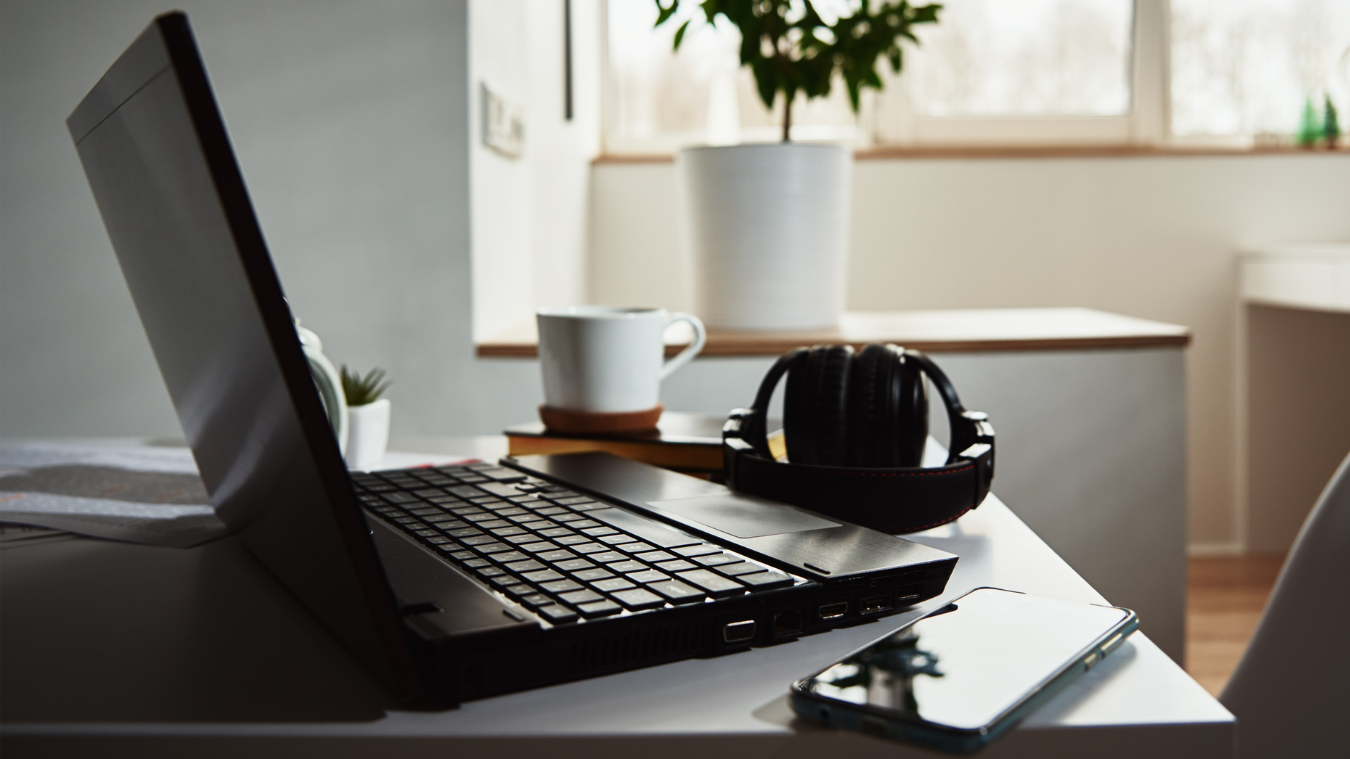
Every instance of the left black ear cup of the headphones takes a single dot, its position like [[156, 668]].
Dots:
[[816, 407]]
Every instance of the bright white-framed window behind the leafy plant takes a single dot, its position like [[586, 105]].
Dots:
[[1005, 72]]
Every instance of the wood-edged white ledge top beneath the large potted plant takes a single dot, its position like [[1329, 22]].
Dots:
[[934, 332]]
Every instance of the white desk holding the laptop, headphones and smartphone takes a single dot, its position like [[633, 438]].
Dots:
[[125, 650]]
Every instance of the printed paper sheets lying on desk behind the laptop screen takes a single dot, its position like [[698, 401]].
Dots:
[[136, 494]]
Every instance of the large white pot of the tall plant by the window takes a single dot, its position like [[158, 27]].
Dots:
[[767, 233]]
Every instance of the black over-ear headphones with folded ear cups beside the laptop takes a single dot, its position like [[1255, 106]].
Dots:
[[855, 426]]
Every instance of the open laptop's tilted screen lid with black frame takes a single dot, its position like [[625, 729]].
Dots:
[[164, 175]]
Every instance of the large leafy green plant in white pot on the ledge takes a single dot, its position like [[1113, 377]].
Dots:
[[769, 224]]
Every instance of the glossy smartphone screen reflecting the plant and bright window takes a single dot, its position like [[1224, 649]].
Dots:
[[970, 662]]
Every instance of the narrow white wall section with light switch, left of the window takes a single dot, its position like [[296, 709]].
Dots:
[[530, 213]]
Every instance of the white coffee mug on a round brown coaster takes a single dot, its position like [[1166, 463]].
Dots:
[[607, 360]]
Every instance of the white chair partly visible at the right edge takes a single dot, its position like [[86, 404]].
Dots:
[[1291, 692]]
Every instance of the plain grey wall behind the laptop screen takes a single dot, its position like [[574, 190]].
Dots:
[[350, 122]]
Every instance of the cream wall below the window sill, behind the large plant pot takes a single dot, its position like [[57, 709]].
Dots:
[[1145, 237]]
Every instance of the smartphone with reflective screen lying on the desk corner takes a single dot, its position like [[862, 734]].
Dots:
[[956, 679]]
